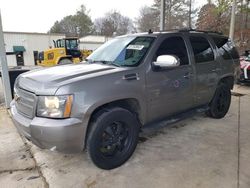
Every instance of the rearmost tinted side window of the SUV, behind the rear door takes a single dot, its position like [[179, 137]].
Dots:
[[226, 48]]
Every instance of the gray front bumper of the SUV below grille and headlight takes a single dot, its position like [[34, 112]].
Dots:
[[64, 135]]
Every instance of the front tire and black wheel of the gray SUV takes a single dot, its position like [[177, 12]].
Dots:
[[112, 138]]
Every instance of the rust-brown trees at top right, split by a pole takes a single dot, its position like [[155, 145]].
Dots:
[[216, 16]]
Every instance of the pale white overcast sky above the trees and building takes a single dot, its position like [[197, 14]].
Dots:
[[39, 16]]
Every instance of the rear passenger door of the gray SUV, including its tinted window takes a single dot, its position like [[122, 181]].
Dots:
[[207, 68]]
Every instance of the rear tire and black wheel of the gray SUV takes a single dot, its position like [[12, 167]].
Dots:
[[220, 103]]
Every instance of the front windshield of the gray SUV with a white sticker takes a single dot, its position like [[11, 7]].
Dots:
[[122, 51]]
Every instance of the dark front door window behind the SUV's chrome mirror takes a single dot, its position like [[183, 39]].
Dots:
[[174, 46]]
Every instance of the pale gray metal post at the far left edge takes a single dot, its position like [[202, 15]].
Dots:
[[4, 68]]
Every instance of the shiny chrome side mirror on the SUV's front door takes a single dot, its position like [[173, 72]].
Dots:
[[167, 61]]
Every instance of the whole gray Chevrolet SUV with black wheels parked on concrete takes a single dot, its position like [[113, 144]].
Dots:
[[128, 82]]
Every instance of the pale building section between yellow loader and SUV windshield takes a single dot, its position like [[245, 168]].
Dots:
[[92, 42]]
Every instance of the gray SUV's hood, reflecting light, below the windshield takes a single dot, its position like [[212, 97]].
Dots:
[[46, 81]]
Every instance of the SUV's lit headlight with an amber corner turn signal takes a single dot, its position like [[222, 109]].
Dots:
[[54, 106]]
